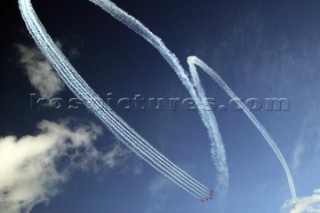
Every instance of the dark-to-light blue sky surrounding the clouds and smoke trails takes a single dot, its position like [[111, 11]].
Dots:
[[260, 48]]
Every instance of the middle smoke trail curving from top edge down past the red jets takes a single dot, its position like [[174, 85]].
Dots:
[[208, 118]]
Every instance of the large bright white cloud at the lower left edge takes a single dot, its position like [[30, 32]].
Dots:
[[33, 167]]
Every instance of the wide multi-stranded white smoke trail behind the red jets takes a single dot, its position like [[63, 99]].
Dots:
[[125, 133]]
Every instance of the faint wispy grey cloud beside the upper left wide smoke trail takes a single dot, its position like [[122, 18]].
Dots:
[[39, 71]]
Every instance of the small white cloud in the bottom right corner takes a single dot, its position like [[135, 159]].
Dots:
[[309, 204]]
